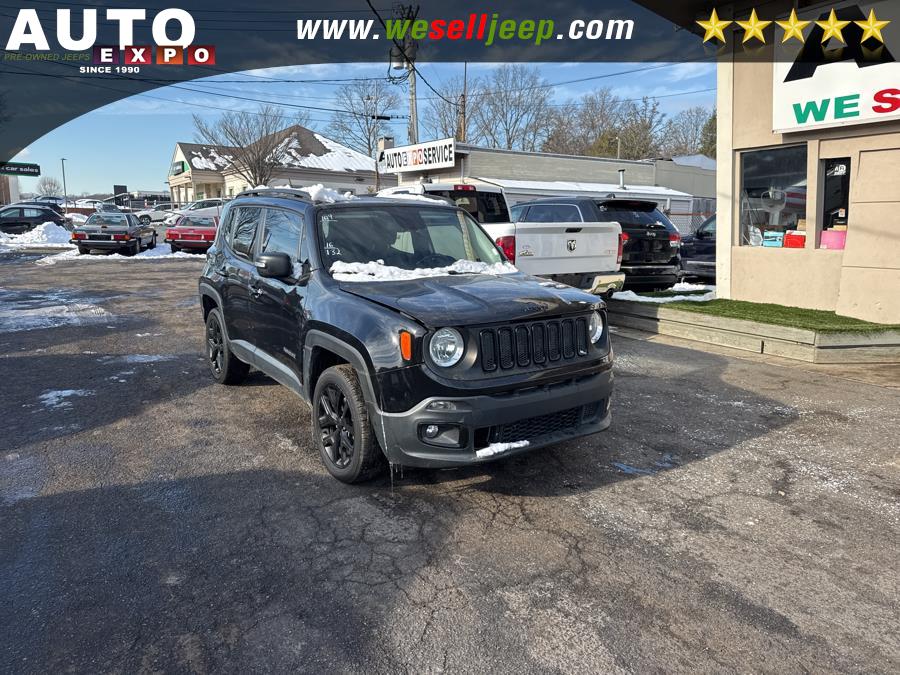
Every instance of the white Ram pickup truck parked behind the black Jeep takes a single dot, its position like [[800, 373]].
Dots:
[[557, 238]]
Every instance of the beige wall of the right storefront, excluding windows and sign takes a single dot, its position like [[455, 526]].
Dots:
[[863, 280]]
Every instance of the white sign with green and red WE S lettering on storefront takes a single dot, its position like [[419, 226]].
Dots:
[[852, 80]]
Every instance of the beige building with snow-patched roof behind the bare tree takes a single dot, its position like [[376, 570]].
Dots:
[[199, 171]]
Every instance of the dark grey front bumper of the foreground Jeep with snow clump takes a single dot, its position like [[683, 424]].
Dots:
[[479, 428]]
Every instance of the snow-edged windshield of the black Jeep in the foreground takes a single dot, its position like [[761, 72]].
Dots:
[[405, 242]]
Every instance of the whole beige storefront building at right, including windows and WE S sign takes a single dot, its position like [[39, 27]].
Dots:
[[808, 161]]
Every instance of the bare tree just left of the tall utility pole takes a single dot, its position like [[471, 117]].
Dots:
[[360, 127]]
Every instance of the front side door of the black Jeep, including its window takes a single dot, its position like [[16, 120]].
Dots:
[[276, 305]]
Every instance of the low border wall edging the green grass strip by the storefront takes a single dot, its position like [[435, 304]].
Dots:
[[761, 338]]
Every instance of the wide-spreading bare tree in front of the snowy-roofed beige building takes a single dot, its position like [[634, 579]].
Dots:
[[256, 140]]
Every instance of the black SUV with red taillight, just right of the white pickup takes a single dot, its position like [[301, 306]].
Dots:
[[651, 243]]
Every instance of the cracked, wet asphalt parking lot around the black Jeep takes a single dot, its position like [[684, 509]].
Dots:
[[739, 515]]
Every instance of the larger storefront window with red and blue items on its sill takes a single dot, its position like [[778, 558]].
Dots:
[[773, 196]]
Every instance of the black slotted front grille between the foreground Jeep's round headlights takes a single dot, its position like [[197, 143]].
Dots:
[[537, 343]]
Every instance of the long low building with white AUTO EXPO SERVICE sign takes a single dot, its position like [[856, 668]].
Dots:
[[685, 187]]
